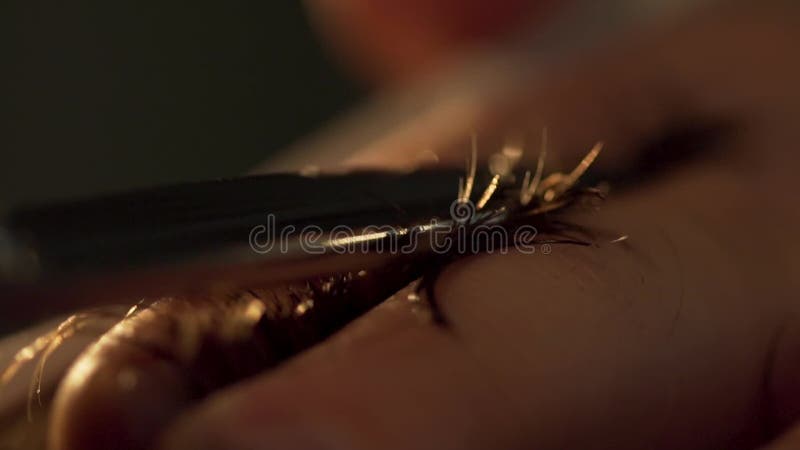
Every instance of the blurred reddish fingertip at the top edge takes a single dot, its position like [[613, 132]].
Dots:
[[392, 41]]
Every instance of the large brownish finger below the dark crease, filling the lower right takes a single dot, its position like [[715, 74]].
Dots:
[[652, 344]]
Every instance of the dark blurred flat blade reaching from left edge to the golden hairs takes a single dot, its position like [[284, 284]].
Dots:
[[184, 222]]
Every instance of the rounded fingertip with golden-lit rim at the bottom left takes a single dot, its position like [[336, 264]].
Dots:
[[106, 403]]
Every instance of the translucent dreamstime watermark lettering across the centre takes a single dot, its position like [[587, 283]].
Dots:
[[469, 231]]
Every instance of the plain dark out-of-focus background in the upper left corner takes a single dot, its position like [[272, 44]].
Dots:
[[97, 96]]
